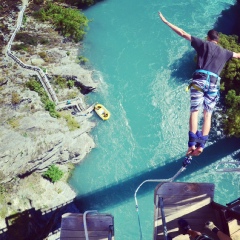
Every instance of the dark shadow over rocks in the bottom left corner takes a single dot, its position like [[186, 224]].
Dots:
[[35, 224]]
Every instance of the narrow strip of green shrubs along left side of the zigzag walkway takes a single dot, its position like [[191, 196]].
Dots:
[[34, 85]]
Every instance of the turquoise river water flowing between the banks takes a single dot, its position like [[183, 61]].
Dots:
[[144, 69]]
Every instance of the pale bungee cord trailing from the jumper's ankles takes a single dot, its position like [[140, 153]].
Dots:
[[186, 161]]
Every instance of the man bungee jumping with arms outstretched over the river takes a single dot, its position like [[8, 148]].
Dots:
[[211, 59]]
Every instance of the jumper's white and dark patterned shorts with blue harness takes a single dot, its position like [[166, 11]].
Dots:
[[209, 95]]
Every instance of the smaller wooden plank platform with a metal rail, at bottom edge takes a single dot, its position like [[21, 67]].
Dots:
[[100, 226]]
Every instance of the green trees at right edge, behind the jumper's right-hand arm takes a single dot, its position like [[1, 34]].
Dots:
[[230, 87]]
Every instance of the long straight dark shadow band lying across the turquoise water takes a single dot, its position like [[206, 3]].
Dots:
[[123, 191]]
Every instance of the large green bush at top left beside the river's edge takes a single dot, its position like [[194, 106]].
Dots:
[[70, 22]]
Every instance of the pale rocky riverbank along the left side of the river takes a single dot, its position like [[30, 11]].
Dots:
[[31, 140]]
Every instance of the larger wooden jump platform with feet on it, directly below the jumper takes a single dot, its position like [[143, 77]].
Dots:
[[190, 201]]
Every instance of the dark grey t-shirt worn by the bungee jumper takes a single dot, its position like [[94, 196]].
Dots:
[[210, 56]]
